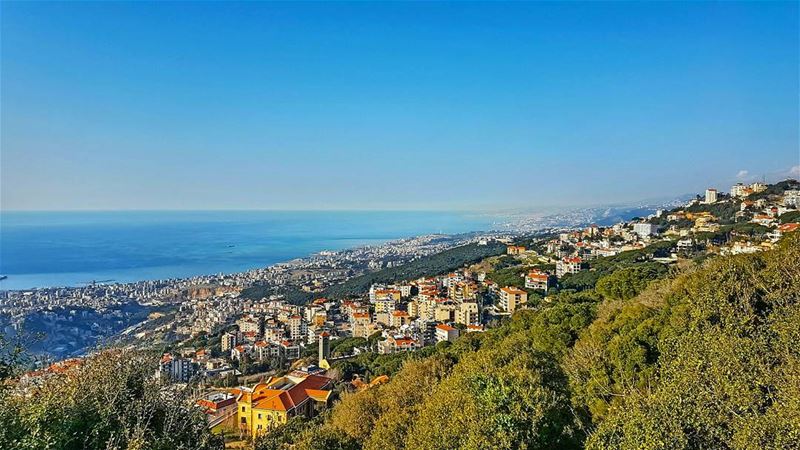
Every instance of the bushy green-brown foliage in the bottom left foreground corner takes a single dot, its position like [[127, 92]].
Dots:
[[111, 401]]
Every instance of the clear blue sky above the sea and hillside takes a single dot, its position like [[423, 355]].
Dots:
[[391, 105]]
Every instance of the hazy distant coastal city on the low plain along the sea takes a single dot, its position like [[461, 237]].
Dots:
[[80, 317]]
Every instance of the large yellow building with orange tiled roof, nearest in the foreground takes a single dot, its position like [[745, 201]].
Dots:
[[277, 400]]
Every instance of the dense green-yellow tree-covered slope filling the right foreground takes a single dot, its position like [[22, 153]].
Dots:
[[708, 358]]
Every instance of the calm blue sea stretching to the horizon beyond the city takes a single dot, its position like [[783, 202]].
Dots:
[[50, 249]]
